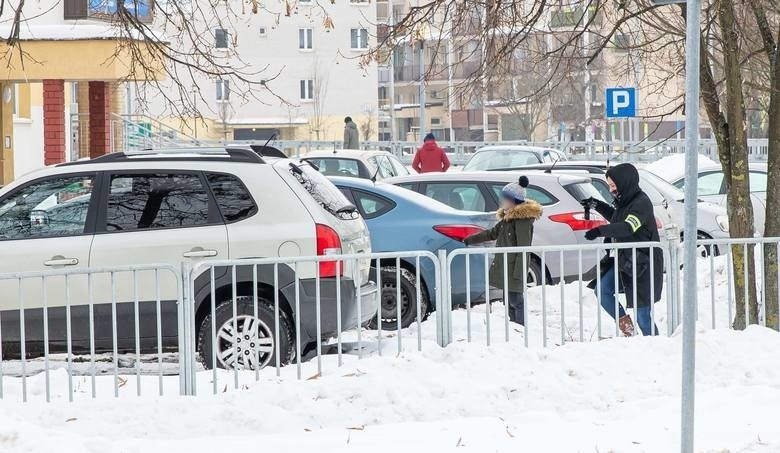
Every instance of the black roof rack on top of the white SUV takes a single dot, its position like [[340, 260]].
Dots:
[[232, 153]]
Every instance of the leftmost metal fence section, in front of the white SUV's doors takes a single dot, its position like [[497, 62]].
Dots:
[[105, 318]]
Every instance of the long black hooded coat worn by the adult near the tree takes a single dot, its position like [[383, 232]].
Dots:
[[632, 220]]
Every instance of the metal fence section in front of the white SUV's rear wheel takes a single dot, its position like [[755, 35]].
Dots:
[[268, 310]]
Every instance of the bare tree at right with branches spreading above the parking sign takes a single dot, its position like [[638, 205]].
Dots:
[[739, 61]]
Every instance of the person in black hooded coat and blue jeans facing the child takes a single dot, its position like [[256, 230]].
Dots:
[[630, 220]]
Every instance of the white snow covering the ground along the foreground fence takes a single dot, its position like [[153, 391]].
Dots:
[[614, 395]]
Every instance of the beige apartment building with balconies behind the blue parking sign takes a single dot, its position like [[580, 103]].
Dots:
[[573, 109]]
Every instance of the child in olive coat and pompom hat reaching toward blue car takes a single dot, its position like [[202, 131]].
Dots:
[[514, 229]]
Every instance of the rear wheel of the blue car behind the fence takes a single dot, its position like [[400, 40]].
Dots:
[[408, 295]]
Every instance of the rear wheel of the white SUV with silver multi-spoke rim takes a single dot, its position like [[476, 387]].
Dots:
[[261, 349]]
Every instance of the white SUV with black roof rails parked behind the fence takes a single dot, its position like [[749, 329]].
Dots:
[[169, 207]]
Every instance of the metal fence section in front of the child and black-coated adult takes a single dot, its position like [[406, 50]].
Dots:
[[578, 313]]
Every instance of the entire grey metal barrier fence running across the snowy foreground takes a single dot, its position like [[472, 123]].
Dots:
[[123, 330]]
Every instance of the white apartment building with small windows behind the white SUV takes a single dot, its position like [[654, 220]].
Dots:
[[299, 72]]
